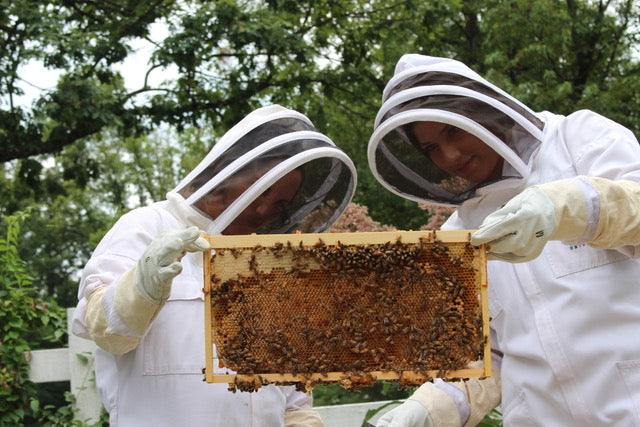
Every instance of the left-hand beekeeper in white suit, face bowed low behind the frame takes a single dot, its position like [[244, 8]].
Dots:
[[141, 294]]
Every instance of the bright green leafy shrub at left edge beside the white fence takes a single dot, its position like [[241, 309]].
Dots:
[[28, 319]]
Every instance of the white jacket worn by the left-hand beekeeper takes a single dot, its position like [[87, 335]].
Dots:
[[160, 382]]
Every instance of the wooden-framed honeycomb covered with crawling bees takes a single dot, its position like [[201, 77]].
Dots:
[[347, 308]]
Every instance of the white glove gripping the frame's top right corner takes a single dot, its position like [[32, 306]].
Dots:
[[518, 231]]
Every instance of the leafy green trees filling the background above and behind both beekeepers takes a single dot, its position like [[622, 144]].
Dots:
[[329, 59]]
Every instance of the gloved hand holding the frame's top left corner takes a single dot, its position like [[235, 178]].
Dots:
[[160, 262]]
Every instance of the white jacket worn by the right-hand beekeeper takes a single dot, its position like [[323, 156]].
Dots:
[[567, 324]]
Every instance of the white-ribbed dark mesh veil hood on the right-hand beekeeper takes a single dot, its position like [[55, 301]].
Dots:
[[446, 91]]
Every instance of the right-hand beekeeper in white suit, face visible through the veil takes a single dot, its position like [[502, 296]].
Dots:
[[558, 198]]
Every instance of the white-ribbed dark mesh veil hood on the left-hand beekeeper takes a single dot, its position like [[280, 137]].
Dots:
[[265, 146]]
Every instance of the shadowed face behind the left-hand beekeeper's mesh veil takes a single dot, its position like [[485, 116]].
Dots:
[[267, 207]]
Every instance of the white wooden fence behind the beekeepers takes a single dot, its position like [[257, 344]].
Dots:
[[75, 364]]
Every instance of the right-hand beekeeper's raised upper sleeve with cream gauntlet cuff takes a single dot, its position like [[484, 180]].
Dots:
[[600, 205]]
